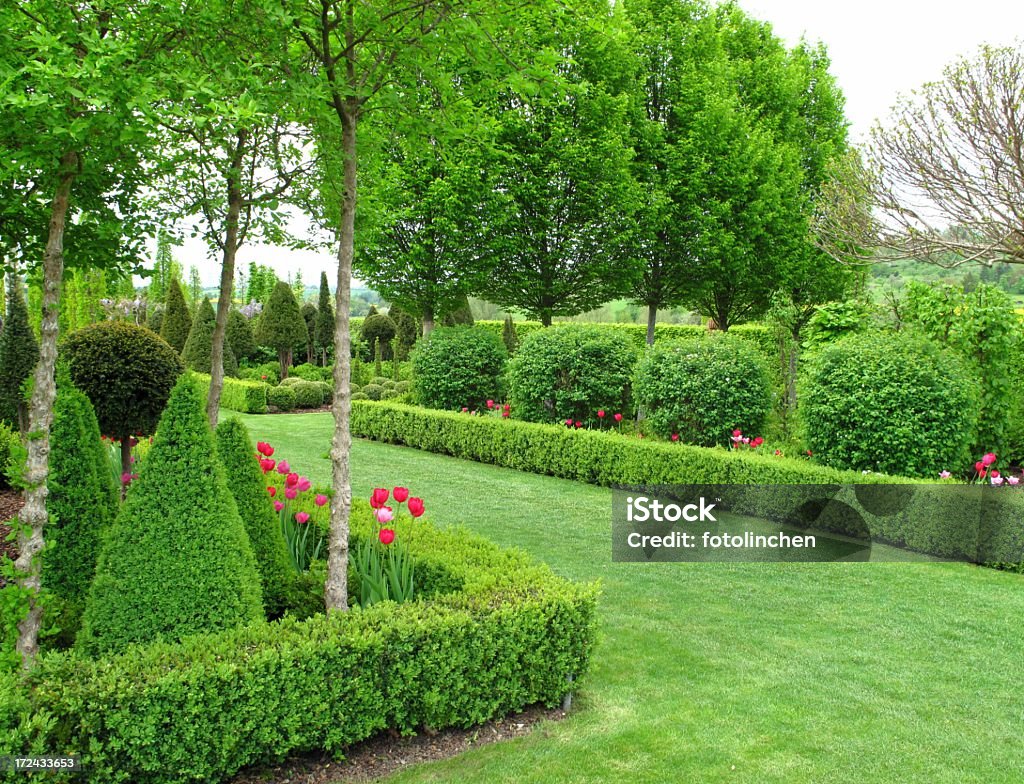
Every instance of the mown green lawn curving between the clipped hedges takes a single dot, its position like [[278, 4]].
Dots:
[[730, 673]]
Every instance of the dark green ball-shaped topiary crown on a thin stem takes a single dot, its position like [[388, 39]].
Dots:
[[126, 371]]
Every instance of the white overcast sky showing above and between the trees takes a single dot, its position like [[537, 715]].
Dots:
[[879, 49]]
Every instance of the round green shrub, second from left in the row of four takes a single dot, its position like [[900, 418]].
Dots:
[[571, 372]]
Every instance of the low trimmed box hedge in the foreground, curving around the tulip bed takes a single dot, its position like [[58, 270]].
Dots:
[[204, 709]]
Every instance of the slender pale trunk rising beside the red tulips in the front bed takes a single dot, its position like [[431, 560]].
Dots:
[[336, 589]]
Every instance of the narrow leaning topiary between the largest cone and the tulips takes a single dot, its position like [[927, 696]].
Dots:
[[236, 454]]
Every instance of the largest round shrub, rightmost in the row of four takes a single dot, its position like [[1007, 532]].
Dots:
[[893, 404]]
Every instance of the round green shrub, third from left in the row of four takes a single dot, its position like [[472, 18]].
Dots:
[[704, 389]]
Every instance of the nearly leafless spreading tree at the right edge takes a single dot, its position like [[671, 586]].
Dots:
[[944, 181]]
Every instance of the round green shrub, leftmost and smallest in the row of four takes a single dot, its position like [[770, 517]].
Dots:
[[459, 366]]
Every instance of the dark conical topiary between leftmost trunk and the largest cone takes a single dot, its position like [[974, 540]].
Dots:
[[81, 501]]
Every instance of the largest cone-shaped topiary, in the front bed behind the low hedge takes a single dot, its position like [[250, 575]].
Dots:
[[178, 560]]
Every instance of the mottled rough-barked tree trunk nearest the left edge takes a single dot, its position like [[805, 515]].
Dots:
[[41, 417]]
